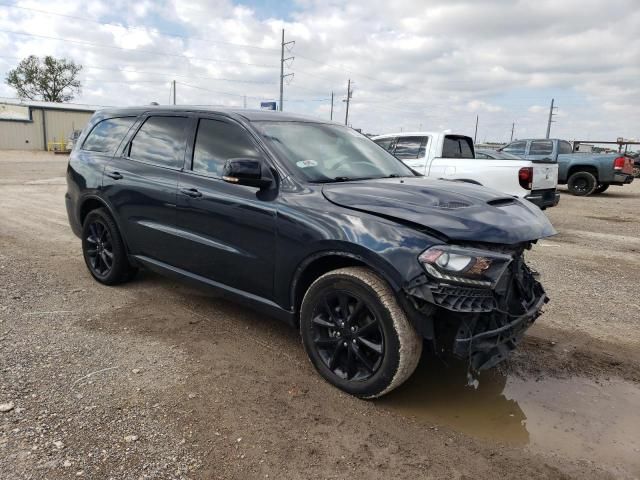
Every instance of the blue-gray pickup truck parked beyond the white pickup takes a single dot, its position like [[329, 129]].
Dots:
[[583, 173]]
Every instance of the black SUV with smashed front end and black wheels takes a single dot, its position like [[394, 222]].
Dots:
[[314, 223]]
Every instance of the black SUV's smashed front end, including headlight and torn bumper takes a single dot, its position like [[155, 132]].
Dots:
[[475, 302]]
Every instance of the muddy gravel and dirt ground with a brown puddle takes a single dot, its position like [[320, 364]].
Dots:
[[154, 379]]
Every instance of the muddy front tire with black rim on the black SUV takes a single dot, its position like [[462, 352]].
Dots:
[[355, 333]]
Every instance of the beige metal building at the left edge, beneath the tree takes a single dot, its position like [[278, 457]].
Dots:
[[33, 125]]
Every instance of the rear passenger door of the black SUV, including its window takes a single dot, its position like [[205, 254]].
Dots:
[[142, 181]]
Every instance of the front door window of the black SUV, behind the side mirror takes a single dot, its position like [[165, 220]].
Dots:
[[217, 142]]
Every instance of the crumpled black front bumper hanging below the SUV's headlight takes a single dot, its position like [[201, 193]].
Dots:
[[481, 325]]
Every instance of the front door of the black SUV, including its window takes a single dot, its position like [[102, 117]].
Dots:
[[228, 232]]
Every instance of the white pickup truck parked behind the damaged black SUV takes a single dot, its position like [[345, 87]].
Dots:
[[452, 157]]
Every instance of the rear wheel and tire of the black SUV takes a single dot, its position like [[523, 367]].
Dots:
[[103, 249]]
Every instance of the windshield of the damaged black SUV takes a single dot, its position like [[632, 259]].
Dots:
[[320, 152]]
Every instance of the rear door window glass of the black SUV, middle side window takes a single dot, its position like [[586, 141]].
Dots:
[[160, 141]]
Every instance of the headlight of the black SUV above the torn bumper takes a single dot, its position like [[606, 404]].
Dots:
[[468, 266]]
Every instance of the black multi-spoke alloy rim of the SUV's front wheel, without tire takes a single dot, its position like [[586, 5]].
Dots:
[[348, 336]]
